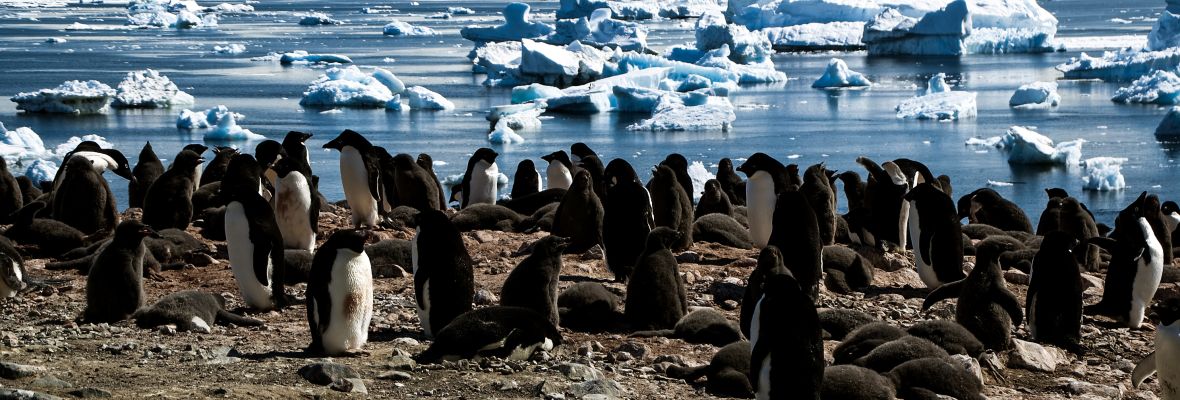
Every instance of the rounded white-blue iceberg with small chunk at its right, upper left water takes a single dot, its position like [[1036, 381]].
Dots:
[[350, 88]]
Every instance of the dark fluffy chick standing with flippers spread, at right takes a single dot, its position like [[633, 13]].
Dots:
[[986, 307]]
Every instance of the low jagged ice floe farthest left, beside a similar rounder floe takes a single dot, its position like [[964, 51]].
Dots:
[[71, 97]]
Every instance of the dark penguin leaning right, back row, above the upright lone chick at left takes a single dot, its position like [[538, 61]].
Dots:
[[169, 202]]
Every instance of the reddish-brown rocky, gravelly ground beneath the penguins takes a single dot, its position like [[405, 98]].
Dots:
[[44, 350]]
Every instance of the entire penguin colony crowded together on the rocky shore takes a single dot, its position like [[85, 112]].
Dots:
[[266, 208]]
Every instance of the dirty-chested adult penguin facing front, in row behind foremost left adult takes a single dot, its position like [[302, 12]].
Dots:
[[297, 209]]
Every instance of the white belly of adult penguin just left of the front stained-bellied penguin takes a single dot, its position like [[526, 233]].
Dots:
[[241, 259]]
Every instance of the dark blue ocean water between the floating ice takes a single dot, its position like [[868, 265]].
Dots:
[[789, 121]]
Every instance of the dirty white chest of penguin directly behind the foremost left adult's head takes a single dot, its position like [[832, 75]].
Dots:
[[293, 206]]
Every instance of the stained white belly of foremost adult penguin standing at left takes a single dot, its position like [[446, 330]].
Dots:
[[351, 293]]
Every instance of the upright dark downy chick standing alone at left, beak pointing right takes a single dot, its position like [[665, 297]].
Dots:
[[115, 285]]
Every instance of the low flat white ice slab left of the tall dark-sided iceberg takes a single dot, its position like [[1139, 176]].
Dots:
[[841, 36]]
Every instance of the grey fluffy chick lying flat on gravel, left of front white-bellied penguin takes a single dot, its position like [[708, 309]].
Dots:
[[191, 311]]
